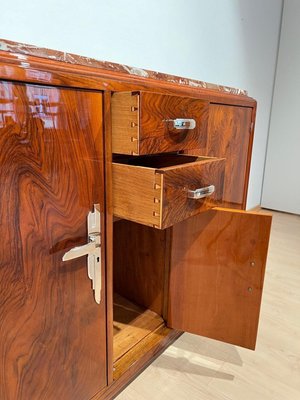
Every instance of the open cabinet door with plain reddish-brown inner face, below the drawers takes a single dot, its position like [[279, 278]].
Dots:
[[216, 277]]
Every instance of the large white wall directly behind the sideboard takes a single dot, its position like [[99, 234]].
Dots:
[[231, 42]]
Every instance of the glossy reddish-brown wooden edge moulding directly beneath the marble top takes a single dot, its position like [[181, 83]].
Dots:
[[52, 72]]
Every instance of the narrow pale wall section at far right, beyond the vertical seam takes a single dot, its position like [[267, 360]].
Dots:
[[281, 189]]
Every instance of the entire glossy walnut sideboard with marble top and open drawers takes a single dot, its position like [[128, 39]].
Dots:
[[122, 221]]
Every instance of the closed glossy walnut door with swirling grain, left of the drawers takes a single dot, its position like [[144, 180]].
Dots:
[[52, 332]]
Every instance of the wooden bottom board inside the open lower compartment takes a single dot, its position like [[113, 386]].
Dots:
[[132, 324]]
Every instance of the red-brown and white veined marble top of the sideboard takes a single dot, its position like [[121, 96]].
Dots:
[[30, 50]]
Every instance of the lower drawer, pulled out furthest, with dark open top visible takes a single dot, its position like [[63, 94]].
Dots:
[[158, 190]]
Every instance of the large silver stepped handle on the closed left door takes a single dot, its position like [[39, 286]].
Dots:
[[92, 250]]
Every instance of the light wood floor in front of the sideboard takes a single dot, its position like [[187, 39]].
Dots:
[[196, 368]]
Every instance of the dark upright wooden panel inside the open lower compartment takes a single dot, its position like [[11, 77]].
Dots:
[[139, 255]]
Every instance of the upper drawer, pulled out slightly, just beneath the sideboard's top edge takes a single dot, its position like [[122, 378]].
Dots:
[[151, 123]]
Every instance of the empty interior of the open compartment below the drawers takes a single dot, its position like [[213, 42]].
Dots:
[[139, 280]]
